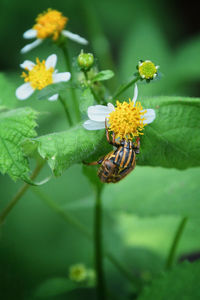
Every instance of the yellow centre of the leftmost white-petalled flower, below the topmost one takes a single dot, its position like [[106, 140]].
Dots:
[[39, 77]]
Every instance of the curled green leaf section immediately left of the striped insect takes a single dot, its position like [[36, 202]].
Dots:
[[66, 148]]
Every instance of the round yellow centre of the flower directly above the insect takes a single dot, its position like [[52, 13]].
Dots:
[[126, 121]]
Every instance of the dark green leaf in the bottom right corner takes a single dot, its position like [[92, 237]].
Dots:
[[181, 283]]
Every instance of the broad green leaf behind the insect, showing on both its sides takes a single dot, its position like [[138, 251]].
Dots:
[[171, 141]]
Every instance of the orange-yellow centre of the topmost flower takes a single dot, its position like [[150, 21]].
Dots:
[[50, 24]]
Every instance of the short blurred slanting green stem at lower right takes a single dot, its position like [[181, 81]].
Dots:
[[176, 240]]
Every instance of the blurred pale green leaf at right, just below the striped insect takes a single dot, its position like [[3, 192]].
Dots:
[[155, 192]]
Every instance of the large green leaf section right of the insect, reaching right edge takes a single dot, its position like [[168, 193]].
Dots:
[[172, 140]]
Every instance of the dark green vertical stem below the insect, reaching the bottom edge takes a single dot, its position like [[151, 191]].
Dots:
[[98, 246]]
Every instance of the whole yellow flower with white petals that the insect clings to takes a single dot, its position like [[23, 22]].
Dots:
[[126, 120]]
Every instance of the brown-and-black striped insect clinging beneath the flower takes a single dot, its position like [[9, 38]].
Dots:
[[118, 163]]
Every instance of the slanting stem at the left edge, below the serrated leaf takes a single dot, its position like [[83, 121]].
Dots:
[[19, 194]]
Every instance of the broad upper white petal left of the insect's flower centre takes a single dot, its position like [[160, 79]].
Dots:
[[99, 112]]
